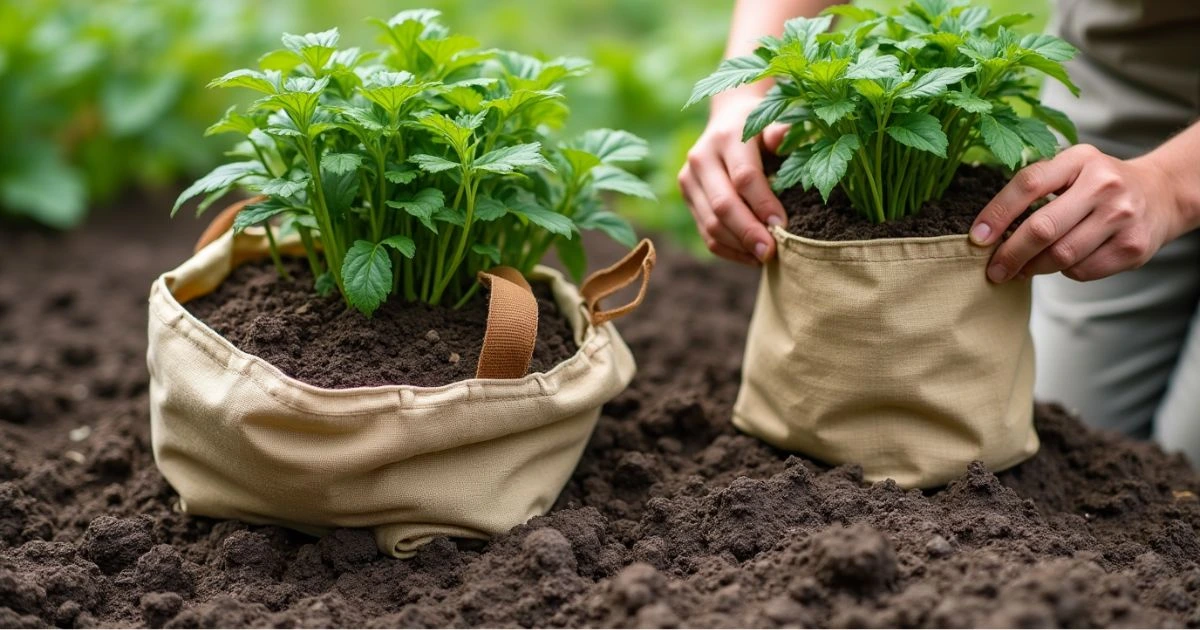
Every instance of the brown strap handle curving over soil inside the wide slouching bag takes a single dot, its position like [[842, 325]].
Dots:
[[512, 326]]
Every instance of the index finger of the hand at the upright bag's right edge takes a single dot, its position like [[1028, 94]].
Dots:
[[1031, 184]]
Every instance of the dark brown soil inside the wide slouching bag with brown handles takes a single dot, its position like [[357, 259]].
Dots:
[[323, 343]]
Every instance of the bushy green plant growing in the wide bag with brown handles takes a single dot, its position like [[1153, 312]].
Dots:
[[410, 169]]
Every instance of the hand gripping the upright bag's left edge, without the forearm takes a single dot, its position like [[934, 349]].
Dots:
[[725, 187]]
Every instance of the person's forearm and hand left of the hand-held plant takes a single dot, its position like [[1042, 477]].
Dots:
[[724, 182]]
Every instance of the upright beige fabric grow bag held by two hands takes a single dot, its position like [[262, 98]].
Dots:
[[896, 355]]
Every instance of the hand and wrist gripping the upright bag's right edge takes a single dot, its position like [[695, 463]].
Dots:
[[1111, 215]]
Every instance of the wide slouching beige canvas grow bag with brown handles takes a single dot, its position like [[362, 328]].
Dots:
[[239, 440]]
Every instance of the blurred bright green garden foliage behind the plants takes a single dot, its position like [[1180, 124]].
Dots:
[[103, 98]]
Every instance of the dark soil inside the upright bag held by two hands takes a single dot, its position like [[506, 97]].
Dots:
[[838, 221]]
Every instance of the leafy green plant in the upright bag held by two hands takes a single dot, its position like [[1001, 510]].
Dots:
[[890, 109]]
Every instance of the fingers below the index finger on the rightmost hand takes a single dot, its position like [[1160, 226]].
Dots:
[[1045, 232]]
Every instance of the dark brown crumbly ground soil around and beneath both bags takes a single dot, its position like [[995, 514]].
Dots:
[[671, 519]]
